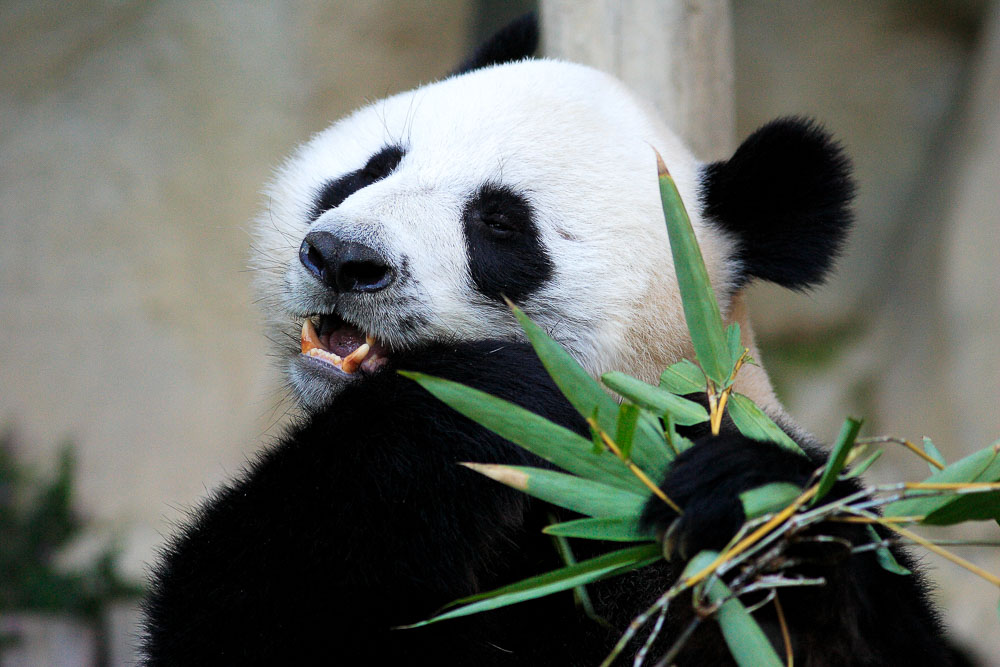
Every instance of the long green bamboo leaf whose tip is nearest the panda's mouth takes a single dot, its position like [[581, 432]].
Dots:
[[552, 442]]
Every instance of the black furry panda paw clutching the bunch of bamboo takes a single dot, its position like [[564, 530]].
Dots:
[[706, 480]]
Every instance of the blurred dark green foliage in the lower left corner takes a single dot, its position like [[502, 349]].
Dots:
[[36, 521]]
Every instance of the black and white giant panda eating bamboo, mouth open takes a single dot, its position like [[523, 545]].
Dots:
[[391, 241]]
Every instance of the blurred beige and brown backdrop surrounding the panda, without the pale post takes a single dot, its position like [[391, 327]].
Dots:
[[134, 138]]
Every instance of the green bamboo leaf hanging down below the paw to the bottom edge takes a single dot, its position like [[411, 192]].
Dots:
[[747, 643]]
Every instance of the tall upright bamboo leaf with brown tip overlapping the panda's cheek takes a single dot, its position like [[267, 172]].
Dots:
[[701, 310]]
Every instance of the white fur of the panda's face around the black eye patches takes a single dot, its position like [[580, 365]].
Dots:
[[572, 140]]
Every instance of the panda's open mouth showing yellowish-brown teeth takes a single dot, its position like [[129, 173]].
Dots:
[[342, 346]]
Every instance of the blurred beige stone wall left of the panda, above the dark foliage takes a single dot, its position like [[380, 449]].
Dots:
[[134, 137]]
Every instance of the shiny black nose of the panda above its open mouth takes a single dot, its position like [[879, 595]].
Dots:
[[345, 266]]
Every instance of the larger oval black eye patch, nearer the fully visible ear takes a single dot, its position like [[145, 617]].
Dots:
[[506, 255]]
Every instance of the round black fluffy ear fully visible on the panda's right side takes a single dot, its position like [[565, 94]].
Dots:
[[786, 195]]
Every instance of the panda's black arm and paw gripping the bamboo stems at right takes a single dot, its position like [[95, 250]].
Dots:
[[863, 615]]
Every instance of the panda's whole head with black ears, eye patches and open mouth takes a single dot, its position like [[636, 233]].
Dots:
[[412, 220]]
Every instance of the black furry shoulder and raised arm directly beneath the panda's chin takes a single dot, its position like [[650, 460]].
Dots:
[[360, 520]]
